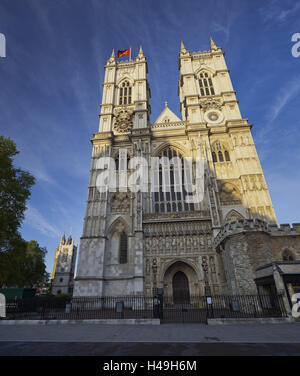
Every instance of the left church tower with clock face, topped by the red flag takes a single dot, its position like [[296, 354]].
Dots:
[[111, 248]]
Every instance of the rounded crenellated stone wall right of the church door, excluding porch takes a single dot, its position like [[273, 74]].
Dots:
[[246, 245]]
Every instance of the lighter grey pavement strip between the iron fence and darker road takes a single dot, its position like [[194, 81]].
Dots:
[[251, 333]]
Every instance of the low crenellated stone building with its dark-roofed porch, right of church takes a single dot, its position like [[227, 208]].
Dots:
[[260, 257]]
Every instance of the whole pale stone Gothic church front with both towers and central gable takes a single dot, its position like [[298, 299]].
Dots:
[[135, 241]]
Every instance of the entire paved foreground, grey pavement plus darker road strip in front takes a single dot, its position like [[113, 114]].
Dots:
[[150, 340]]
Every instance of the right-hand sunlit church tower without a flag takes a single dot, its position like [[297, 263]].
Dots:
[[209, 105]]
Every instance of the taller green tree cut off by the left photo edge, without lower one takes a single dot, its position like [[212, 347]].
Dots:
[[15, 185]]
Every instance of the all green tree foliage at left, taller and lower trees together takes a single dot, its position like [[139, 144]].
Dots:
[[22, 263]]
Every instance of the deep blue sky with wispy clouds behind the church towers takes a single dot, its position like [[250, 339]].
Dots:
[[51, 88]]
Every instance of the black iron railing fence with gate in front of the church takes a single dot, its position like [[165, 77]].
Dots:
[[190, 309]]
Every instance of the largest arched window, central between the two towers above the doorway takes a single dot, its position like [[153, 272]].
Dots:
[[172, 193]]
